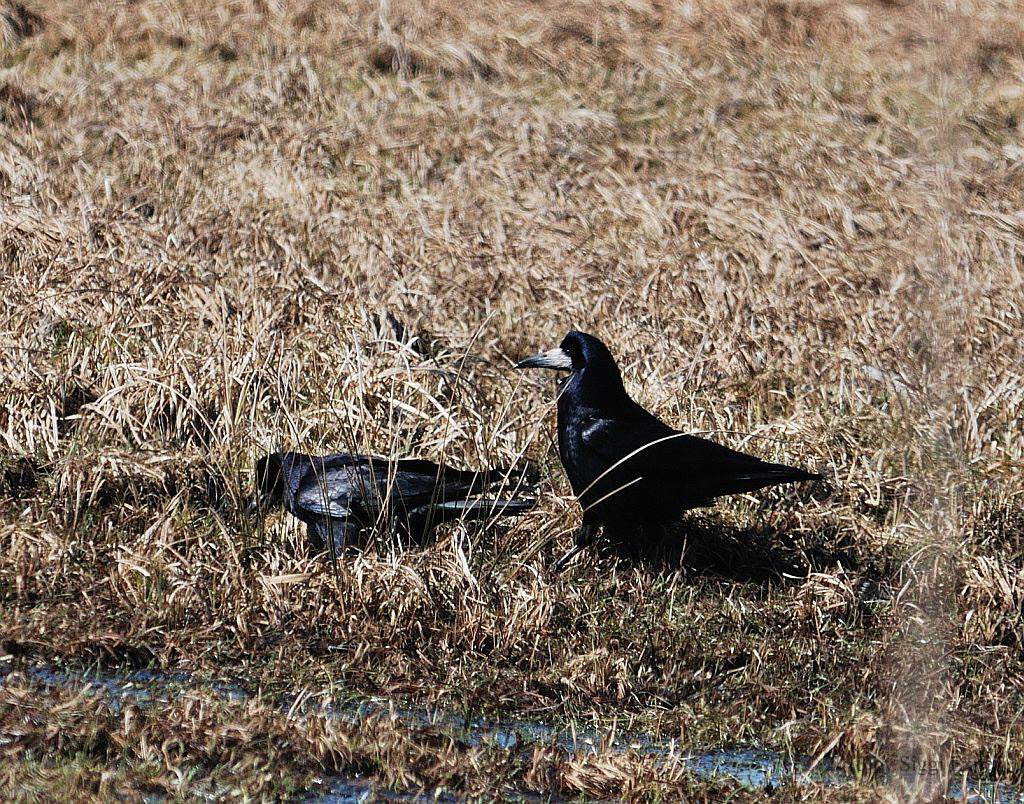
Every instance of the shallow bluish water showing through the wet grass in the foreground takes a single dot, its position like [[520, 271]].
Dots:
[[754, 769]]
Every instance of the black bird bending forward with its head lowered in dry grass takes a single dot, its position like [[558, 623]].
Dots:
[[339, 497]]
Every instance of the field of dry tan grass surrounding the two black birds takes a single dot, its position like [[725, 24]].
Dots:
[[799, 225]]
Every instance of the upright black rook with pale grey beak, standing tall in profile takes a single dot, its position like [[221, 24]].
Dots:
[[629, 470]]
